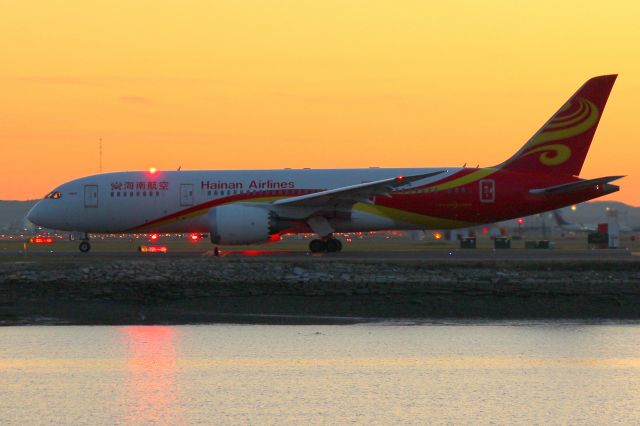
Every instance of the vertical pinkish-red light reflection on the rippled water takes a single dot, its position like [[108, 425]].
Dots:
[[151, 388]]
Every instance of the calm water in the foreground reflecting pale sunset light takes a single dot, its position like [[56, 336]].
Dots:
[[383, 373]]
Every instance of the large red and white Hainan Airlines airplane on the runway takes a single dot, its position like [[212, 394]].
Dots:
[[238, 207]]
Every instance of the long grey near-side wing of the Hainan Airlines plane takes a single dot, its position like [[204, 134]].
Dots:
[[349, 195]]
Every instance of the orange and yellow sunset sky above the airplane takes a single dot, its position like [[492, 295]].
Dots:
[[269, 84]]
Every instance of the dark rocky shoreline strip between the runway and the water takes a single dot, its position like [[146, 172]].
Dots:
[[180, 291]]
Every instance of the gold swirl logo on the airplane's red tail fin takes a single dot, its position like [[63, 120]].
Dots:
[[572, 120]]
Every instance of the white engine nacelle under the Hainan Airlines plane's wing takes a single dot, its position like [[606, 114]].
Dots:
[[241, 224]]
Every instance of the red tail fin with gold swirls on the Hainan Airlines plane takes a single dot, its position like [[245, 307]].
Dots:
[[561, 145]]
